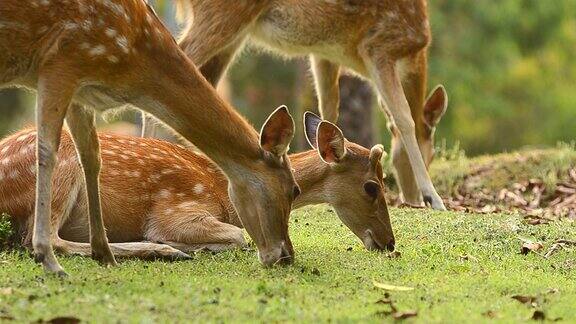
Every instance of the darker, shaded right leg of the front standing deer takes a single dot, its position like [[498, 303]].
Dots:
[[82, 127]]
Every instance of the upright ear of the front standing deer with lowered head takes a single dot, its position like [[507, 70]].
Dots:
[[277, 132]]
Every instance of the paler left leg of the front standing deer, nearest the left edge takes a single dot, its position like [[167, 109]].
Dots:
[[54, 97]]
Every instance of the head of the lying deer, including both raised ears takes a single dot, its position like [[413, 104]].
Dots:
[[353, 183]]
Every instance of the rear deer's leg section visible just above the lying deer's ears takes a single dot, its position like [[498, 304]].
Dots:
[[326, 76]]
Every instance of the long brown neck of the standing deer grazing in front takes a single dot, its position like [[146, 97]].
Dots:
[[187, 103]]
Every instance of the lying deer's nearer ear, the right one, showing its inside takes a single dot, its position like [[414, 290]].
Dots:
[[331, 142]]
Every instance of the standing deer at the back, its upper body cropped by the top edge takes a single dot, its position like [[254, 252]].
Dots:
[[384, 41]]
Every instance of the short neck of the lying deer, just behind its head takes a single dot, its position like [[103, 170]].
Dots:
[[310, 173]]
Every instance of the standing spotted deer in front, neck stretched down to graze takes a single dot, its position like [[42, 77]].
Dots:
[[105, 54]]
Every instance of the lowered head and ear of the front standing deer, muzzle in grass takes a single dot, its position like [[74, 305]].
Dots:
[[266, 218]]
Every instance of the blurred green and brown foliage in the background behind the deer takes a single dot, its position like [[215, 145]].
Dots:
[[509, 67]]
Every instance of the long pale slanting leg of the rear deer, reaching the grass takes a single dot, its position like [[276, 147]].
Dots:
[[387, 80]]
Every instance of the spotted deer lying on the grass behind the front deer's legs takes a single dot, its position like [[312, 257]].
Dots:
[[160, 192]]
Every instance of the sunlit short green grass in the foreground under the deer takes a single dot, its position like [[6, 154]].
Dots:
[[332, 278]]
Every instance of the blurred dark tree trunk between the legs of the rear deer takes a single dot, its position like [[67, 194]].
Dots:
[[356, 105]]
